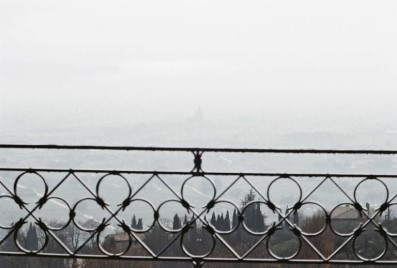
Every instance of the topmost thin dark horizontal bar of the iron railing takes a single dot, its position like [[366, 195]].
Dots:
[[193, 149]]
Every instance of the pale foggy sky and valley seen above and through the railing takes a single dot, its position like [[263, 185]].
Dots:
[[219, 74]]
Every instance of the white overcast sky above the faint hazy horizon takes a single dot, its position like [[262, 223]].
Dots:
[[165, 58]]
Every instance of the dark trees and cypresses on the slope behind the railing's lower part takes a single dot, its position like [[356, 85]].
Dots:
[[197, 241]]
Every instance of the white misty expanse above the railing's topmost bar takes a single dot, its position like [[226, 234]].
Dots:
[[263, 74]]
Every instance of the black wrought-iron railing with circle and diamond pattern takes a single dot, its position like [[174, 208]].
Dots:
[[78, 217]]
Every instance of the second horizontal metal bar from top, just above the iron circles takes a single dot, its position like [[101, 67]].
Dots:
[[191, 173]]
